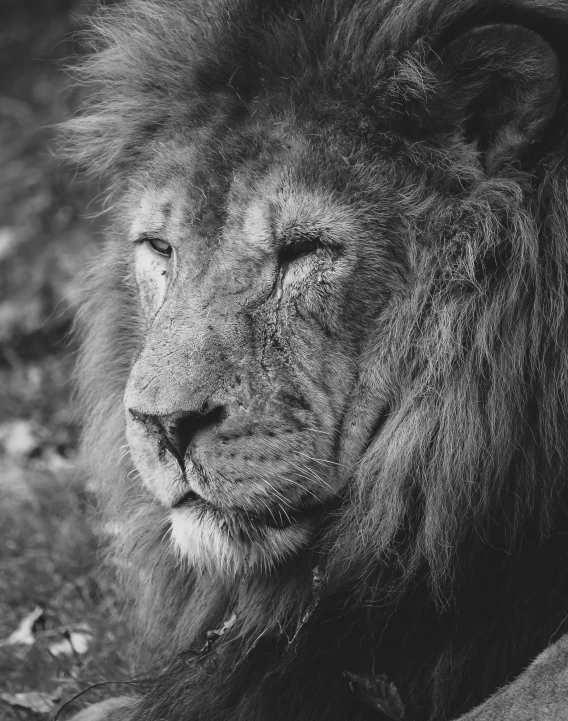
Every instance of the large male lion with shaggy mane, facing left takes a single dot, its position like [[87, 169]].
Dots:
[[325, 353]]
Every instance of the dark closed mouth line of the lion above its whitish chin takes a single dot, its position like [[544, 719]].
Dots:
[[278, 518]]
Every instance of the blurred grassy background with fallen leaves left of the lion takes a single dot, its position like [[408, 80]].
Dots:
[[61, 628]]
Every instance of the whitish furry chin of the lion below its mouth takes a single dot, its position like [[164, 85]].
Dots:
[[227, 546]]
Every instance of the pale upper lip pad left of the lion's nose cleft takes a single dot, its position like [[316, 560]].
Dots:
[[158, 471]]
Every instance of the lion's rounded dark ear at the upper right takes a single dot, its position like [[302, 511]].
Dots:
[[504, 83]]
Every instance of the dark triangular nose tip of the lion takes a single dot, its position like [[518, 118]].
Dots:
[[176, 430]]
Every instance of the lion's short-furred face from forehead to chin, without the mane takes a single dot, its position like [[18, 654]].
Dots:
[[255, 293]]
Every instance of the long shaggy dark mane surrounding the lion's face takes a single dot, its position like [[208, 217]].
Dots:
[[446, 562]]
